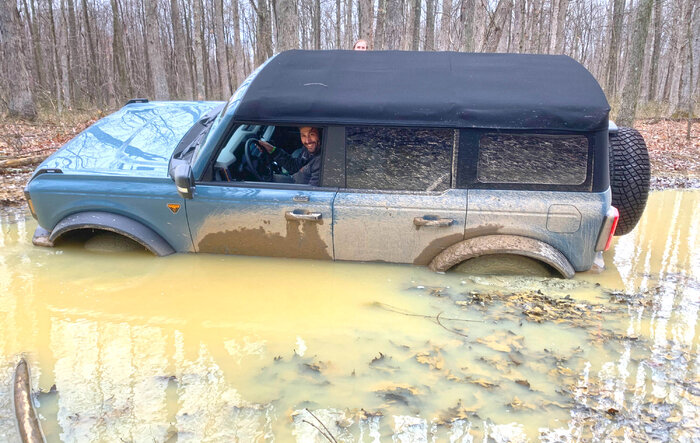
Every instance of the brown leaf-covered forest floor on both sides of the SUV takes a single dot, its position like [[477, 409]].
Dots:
[[675, 161]]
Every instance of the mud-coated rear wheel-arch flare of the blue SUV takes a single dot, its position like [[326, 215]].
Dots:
[[502, 244]]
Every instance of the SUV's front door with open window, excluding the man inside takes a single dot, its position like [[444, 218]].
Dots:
[[274, 219]]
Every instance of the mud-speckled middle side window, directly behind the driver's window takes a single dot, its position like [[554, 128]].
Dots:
[[407, 159]]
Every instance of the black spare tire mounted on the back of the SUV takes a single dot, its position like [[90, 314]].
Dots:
[[629, 177]]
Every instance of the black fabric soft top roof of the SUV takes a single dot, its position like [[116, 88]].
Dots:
[[426, 89]]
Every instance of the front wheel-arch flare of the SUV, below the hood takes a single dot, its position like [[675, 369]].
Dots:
[[116, 223]]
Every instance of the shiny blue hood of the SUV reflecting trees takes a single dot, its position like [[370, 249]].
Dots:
[[136, 140]]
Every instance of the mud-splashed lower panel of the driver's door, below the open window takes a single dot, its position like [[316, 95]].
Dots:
[[250, 220]]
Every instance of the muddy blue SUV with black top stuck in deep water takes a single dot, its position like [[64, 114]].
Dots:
[[403, 157]]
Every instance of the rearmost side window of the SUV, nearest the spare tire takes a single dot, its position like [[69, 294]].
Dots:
[[532, 159]]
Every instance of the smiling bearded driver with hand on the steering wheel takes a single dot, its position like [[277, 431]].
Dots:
[[306, 168]]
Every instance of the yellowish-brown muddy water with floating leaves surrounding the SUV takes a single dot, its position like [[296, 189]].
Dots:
[[128, 347]]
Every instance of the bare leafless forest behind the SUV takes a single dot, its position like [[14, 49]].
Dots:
[[62, 55]]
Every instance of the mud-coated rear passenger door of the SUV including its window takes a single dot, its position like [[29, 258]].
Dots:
[[397, 204]]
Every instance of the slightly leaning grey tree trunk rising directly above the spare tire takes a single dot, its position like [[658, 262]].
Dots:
[[630, 93]]
